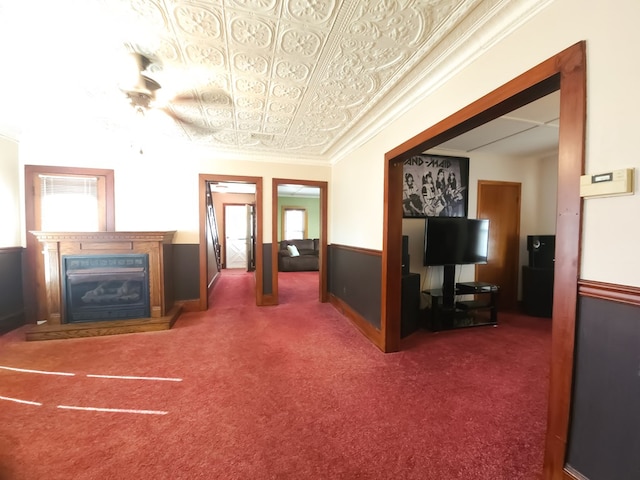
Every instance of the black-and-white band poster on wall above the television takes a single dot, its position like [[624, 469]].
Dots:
[[435, 185]]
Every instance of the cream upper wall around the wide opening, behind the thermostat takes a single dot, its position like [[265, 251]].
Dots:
[[609, 28]]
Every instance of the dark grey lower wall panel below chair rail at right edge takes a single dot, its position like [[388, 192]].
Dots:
[[605, 414]]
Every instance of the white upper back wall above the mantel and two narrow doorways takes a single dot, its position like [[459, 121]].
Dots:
[[158, 190]]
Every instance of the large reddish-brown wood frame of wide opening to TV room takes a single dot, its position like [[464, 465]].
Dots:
[[565, 71]]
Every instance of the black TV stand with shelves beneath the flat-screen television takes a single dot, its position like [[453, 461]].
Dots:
[[463, 313]]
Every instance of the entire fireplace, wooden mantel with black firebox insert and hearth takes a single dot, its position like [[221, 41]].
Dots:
[[105, 283]]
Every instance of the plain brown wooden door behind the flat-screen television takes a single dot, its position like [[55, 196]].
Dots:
[[500, 203]]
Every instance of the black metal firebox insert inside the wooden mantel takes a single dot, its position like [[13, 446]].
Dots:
[[105, 287]]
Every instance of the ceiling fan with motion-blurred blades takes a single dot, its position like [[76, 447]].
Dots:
[[142, 92]]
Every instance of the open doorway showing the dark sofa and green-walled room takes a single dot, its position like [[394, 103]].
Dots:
[[299, 209]]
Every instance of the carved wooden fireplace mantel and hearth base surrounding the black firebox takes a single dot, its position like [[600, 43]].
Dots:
[[57, 245]]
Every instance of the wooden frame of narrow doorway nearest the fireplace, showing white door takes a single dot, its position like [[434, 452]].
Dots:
[[203, 180]]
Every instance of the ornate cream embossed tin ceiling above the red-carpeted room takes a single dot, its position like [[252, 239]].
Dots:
[[289, 76]]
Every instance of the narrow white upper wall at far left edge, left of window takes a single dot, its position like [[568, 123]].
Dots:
[[10, 219]]
